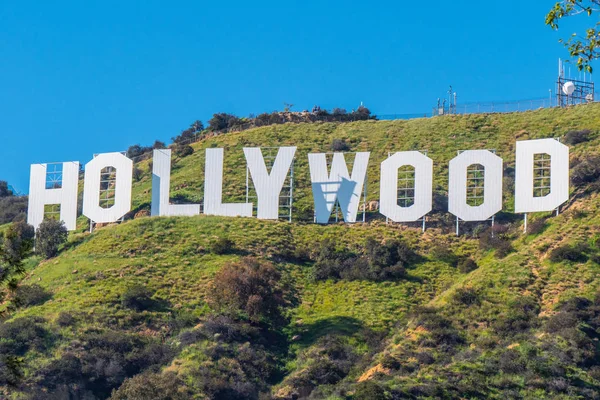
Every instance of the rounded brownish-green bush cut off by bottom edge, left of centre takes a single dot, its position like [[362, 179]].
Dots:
[[155, 386]]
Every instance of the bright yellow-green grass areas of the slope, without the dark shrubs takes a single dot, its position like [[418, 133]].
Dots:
[[171, 255]]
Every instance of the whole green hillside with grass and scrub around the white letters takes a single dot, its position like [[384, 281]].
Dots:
[[474, 316]]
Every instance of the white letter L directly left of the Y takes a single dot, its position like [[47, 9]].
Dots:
[[213, 189]]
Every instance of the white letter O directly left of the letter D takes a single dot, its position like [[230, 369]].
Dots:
[[492, 190]]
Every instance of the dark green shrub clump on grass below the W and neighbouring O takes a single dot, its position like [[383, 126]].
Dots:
[[377, 261]]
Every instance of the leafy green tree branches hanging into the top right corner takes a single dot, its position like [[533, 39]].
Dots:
[[584, 48]]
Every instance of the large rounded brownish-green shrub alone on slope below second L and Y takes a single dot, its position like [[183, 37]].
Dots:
[[252, 288]]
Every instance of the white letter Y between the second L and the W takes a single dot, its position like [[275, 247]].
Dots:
[[268, 186]]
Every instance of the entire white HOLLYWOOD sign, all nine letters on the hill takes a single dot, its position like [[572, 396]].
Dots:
[[330, 184]]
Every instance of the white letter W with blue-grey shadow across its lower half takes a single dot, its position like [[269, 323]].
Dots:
[[337, 185]]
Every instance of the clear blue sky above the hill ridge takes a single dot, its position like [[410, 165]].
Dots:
[[82, 77]]
